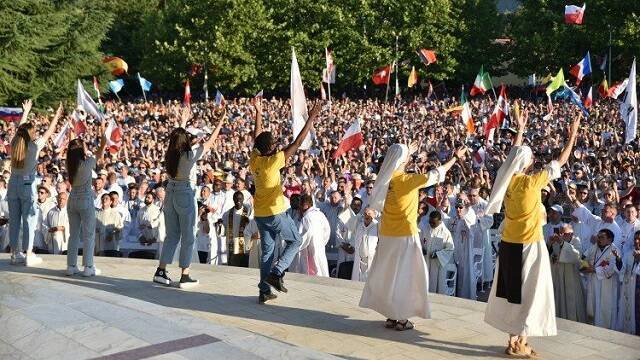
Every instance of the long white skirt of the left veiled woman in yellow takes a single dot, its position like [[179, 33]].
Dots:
[[397, 284]]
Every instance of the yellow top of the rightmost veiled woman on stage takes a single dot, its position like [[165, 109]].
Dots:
[[524, 213]]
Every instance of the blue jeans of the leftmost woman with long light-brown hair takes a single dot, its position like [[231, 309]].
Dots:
[[21, 195]]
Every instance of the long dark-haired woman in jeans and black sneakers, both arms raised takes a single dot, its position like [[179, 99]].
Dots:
[[180, 207]]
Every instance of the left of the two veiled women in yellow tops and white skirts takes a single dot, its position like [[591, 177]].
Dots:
[[398, 282]]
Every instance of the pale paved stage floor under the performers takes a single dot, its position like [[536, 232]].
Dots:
[[123, 315]]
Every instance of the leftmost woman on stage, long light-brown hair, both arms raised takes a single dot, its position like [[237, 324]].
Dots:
[[21, 192]]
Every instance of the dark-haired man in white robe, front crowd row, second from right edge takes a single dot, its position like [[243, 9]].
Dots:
[[602, 272]]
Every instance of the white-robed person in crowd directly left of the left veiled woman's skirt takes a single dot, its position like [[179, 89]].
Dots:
[[365, 239]]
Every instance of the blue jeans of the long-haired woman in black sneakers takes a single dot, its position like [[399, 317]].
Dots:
[[180, 214]]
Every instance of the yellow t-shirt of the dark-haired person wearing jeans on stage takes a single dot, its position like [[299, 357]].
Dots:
[[269, 199]]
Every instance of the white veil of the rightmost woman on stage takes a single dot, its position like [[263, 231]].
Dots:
[[519, 158]]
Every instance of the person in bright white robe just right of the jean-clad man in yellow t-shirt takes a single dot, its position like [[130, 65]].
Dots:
[[315, 232]]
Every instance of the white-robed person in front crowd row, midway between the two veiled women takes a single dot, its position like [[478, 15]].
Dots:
[[464, 241]]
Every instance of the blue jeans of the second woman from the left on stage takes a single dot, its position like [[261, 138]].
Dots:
[[82, 225]]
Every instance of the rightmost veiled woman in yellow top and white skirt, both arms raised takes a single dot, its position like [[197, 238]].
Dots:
[[521, 302]]
